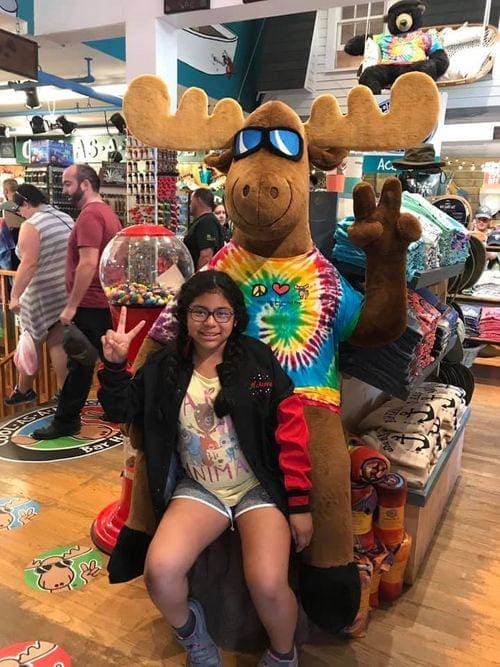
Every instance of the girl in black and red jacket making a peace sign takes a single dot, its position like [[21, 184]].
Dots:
[[220, 403]]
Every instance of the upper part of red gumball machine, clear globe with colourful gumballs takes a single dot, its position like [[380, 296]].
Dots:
[[142, 268]]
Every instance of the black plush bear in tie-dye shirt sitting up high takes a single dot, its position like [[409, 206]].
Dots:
[[405, 48]]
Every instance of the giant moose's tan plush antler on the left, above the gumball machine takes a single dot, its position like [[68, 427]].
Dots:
[[146, 107]]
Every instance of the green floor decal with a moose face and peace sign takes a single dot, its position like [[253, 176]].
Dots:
[[63, 569]]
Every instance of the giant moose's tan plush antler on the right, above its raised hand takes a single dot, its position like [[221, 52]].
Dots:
[[412, 115]]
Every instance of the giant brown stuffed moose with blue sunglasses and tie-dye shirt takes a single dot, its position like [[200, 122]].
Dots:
[[297, 301]]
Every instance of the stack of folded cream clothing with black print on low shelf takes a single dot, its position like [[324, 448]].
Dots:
[[412, 434]]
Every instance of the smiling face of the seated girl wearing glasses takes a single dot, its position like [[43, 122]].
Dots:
[[208, 334]]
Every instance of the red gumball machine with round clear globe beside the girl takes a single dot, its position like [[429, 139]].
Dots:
[[141, 268]]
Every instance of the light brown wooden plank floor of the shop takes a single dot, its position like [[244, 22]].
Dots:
[[451, 616]]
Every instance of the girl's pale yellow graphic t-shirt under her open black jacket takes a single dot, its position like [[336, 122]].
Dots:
[[208, 446]]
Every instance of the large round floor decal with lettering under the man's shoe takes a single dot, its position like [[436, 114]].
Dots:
[[17, 444]]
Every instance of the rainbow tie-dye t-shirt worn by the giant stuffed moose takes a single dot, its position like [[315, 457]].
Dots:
[[302, 308]]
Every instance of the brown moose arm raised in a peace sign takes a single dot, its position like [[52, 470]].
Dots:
[[385, 234]]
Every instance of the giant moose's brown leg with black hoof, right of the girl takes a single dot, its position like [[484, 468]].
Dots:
[[329, 581]]
